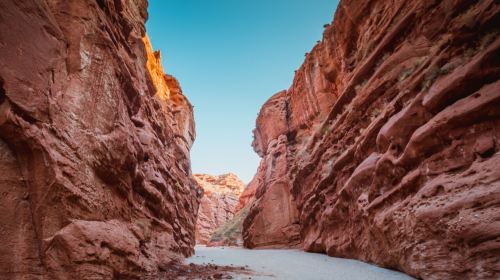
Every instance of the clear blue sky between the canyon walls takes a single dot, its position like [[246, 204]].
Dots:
[[230, 56]]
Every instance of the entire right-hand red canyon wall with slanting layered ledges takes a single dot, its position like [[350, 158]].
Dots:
[[386, 146]]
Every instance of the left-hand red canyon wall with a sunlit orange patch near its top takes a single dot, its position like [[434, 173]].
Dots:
[[94, 144]]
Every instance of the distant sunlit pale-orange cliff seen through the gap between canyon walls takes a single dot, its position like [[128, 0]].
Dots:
[[218, 204]]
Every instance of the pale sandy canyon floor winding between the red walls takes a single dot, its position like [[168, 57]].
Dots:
[[291, 264]]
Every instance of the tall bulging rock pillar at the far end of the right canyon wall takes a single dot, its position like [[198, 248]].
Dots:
[[273, 221]]
